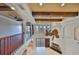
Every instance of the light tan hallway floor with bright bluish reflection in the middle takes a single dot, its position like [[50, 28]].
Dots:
[[41, 51]]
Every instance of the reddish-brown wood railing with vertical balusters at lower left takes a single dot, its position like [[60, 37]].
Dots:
[[9, 44]]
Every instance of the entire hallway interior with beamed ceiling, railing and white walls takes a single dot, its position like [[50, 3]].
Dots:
[[34, 29]]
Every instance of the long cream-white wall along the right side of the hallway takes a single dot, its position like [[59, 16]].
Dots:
[[67, 40]]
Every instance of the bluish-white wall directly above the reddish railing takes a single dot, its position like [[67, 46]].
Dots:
[[7, 30]]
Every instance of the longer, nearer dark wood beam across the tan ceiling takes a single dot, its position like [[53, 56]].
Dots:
[[64, 14]]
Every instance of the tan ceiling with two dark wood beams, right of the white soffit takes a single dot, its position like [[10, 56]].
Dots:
[[54, 10]]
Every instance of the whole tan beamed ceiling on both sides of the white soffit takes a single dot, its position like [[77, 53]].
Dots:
[[47, 9]]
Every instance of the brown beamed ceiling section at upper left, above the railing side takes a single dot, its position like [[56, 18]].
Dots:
[[7, 11]]
